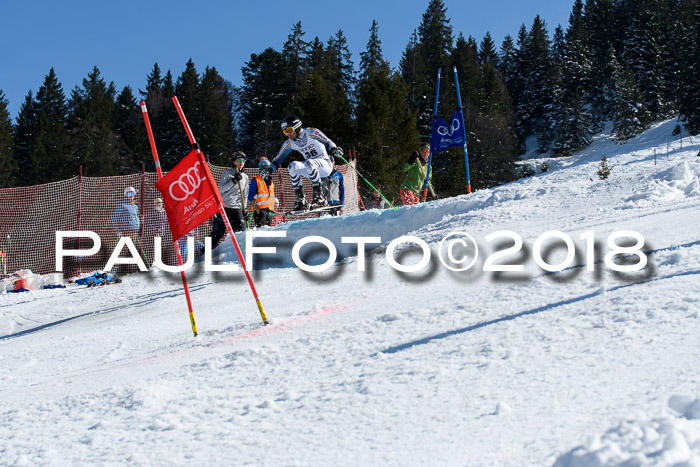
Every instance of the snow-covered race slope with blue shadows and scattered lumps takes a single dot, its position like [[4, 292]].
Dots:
[[386, 368]]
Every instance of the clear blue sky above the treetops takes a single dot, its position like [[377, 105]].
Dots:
[[124, 39]]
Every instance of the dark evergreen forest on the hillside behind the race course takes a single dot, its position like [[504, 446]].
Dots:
[[625, 62]]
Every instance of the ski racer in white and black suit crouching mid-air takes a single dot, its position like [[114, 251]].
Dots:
[[317, 150]]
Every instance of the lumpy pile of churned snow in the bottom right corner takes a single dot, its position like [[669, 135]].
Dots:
[[671, 440]]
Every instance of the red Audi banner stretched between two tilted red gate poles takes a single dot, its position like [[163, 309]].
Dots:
[[188, 196]]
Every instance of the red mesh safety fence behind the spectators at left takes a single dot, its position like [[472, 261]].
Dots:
[[30, 217]]
